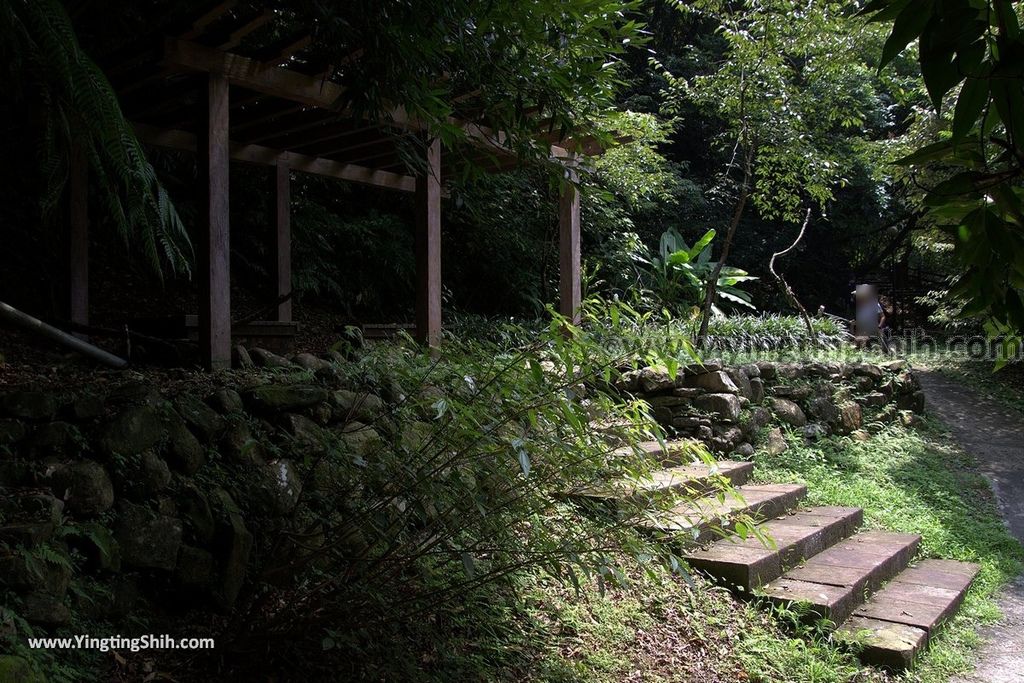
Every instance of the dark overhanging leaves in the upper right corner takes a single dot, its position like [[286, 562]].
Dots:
[[972, 62]]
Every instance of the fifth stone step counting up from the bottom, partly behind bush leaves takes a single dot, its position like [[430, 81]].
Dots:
[[694, 480]]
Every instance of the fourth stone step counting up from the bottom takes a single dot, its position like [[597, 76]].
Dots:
[[705, 519]]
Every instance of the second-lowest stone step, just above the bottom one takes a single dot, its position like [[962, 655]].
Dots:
[[835, 582]]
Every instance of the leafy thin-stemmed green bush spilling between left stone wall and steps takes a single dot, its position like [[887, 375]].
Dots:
[[459, 492]]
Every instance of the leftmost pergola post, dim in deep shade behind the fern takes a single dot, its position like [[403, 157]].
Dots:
[[78, 242]]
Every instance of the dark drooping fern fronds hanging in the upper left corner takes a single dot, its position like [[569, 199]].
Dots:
[[44, 69]]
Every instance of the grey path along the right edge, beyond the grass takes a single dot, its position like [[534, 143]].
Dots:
[[996, 437]]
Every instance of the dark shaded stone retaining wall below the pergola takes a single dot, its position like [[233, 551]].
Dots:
[[138, 496]]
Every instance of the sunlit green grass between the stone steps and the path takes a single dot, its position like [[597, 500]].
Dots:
[[915, 482]]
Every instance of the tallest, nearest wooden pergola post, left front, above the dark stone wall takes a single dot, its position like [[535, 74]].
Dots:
[[215, 242]]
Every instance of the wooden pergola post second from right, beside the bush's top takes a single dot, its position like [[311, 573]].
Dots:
[[429, 248]]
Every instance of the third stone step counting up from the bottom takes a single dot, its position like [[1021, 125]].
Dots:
[[749, 564]]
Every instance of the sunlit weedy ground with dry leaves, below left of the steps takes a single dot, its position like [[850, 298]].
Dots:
[[659, 628]]
